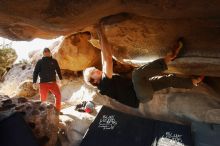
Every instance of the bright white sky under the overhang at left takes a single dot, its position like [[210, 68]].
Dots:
[[22, 48]]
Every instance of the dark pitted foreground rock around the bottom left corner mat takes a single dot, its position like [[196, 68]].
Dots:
[[41, 117]]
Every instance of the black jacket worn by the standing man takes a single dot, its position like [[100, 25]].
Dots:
[[46, 68]]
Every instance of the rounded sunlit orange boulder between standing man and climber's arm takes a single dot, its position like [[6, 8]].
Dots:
[[76, 53]]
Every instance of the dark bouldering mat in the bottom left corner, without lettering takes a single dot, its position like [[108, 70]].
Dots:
[[15, 132]]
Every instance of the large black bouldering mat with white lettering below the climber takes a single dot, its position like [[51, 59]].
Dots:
[[114, 128]]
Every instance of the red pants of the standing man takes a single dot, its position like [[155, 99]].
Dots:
[[54, 89]]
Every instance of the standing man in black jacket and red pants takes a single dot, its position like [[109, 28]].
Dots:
[[46, 68]]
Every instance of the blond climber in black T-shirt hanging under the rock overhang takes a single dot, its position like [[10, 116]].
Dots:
[[143, 83]]
